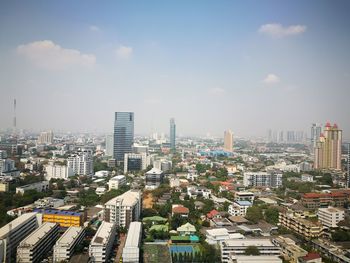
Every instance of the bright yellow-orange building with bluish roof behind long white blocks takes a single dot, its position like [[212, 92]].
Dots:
[[63, 218]]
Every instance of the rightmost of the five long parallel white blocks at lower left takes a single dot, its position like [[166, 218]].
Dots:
[[131, 250]]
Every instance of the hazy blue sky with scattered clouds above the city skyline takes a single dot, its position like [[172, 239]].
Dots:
[[248, 66]]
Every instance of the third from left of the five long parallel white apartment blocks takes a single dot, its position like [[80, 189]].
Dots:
[[66, 244]]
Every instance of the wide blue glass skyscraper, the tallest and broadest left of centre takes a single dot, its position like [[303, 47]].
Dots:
[[123, 134]]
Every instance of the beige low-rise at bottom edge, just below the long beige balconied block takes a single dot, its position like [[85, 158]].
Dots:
[[290, 251]]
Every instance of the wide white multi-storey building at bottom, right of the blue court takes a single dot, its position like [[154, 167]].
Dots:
[[237, 247]]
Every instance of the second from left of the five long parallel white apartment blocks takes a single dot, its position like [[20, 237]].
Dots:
[[34, 248]]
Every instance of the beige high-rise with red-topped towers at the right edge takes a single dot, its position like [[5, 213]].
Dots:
[[328, 148]]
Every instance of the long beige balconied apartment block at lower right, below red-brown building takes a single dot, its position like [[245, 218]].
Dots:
[[300, 225]]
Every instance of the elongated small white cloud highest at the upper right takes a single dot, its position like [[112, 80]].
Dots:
[[277, 30]]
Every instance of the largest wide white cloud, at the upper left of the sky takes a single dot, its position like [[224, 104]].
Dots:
[[48, 55]]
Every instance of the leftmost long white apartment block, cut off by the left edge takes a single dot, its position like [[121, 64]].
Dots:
[[14, 232]]
